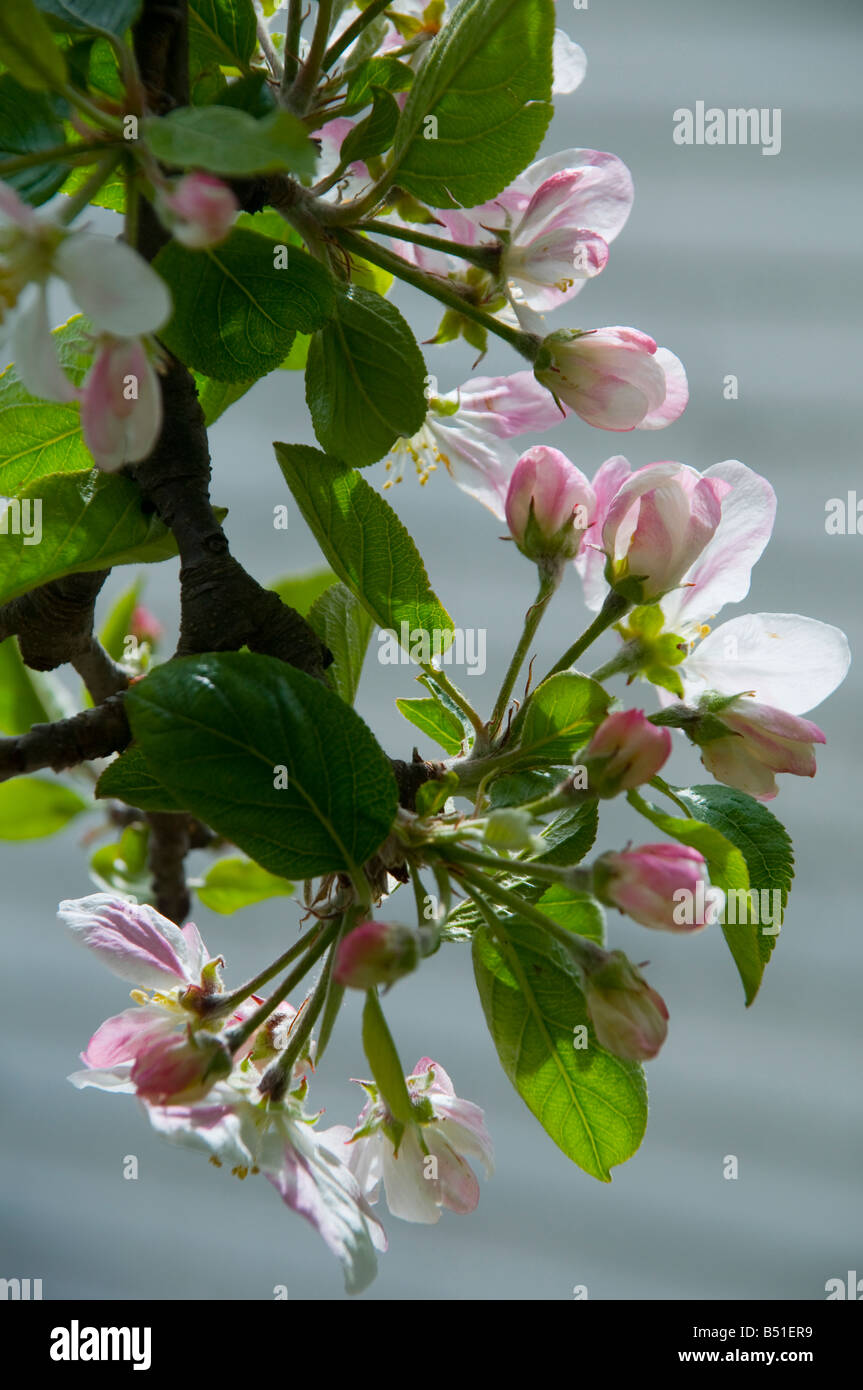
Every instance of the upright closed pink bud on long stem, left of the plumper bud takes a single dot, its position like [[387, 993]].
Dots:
[[550, 505]]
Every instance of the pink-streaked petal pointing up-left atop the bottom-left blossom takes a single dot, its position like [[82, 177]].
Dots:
[[134, 940]]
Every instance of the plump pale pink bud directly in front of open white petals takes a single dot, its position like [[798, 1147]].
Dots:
[[657, 526]]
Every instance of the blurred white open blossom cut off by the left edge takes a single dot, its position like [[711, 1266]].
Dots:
[[109, 281]]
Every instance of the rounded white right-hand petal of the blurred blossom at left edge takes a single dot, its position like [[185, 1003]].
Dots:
[[113, 284]]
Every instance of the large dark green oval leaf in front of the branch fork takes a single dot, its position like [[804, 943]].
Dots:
[[219, 730]]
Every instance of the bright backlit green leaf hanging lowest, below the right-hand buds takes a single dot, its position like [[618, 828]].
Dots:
[[593, 1104]]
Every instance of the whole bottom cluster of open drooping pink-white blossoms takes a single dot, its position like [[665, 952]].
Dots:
[[204, 1090]]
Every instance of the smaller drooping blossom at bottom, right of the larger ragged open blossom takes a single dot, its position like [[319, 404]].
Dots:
[[425, 1170]]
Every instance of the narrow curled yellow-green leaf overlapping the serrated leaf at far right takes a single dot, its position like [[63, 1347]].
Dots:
[[729, 872]]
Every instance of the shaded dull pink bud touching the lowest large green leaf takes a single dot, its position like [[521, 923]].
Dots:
[[630, 1020]]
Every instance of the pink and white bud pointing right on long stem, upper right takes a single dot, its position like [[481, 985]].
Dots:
[[615, 379]]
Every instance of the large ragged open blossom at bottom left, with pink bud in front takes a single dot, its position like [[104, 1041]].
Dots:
[[195, 1093]]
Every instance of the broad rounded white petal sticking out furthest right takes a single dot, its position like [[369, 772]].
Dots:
[[784, 660]]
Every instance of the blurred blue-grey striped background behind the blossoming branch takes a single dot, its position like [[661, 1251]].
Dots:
[[743, 265]]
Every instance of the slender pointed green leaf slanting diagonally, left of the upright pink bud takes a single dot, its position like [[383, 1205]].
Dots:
[[365, 543]]
